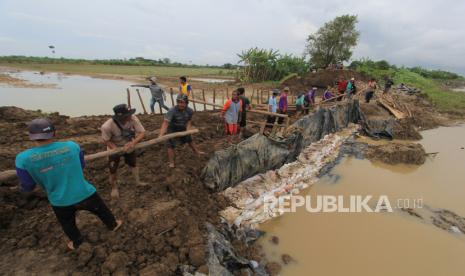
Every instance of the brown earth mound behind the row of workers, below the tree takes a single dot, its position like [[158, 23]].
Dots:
[[321, 79]]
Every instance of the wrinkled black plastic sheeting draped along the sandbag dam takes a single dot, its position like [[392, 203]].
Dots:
[[259, 153]]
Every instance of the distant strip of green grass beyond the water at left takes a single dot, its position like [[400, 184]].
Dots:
[[90, 69]]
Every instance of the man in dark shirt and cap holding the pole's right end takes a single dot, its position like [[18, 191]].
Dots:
[[178, 118]]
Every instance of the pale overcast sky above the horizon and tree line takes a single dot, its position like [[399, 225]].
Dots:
[[427, 33]]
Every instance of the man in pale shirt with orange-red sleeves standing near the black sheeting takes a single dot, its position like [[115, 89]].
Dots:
[[231, 114]]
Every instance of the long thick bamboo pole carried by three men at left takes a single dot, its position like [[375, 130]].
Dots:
[[5, 175]]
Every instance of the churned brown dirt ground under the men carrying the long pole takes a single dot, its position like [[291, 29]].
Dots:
[[164, 222]]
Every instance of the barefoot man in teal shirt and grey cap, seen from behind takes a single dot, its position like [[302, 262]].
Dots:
[[57, 167]]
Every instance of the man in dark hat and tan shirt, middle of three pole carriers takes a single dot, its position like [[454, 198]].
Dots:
[[122, 130]]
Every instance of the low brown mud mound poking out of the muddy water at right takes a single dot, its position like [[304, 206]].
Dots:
[[397, 153]]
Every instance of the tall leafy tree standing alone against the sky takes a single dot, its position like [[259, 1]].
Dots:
[[333, 42]]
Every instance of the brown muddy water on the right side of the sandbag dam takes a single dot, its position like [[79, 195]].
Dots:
[[380, 243]]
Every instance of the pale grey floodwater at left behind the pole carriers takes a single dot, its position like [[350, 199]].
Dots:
[[74, 95]]
